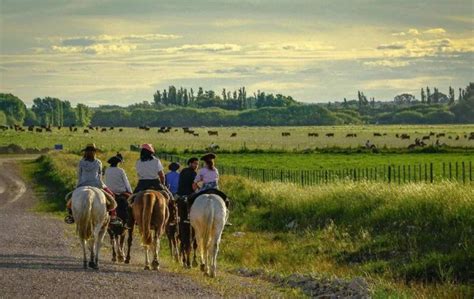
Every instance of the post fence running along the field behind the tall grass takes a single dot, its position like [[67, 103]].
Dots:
[[393, 174]]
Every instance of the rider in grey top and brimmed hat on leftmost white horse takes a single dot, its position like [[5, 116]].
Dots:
[[90, 174]]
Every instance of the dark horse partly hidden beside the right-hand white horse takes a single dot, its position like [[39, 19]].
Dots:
[[186, 234]]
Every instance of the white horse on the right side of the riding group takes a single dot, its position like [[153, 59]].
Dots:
[[208, 216]]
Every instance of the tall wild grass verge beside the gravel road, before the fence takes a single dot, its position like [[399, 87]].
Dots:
[[414, 240]]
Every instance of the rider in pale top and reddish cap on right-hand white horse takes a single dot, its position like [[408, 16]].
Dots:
[[208, 178]]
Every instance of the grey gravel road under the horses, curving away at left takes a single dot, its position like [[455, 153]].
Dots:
[[39, 258]]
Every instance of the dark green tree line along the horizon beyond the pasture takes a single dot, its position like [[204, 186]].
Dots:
[[180, 107]]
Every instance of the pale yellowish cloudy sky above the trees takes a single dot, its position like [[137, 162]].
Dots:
[[120, 52]]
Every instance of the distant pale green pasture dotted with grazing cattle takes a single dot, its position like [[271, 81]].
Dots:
[[251, 138]]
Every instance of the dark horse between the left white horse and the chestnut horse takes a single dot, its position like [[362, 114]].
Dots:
[[117, 234]]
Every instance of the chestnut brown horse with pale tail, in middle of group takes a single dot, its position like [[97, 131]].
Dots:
[[150, 212]]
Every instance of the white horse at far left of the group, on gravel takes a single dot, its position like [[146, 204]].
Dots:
[[90, 213]]
